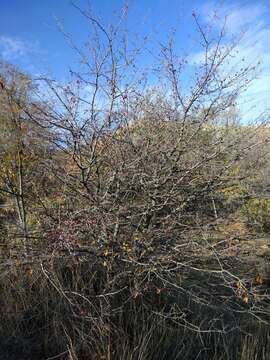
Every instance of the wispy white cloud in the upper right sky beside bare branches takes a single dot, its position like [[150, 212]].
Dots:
[[254, 21]]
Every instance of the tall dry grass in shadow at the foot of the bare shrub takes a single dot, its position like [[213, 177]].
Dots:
[[52, 312]]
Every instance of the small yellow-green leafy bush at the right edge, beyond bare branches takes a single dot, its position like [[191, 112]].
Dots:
[[257, 212]]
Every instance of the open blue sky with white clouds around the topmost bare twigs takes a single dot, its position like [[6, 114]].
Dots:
[[29, 37]]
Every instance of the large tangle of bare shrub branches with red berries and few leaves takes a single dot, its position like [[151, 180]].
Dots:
[[108, 187]]
